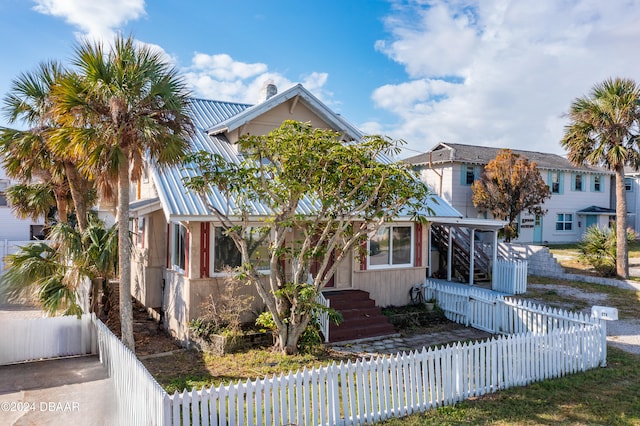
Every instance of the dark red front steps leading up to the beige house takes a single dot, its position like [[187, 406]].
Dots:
[[361, 318]]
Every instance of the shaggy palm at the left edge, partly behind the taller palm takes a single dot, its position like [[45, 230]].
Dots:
[[27, 154]]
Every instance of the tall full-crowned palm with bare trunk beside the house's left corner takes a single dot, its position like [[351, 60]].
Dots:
[[122, 107]]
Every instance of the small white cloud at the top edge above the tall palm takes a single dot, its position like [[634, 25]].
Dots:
[[96, 19]]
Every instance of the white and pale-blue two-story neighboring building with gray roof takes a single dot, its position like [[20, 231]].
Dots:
[[581, 195]]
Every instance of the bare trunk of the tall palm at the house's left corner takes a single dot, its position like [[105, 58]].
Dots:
[[124, 259]]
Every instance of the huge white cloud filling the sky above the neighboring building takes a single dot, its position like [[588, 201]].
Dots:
[[500, 72]]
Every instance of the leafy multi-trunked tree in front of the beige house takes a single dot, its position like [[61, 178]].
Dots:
[[324, 196]]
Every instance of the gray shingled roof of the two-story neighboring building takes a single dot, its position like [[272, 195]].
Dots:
[[481, 155]]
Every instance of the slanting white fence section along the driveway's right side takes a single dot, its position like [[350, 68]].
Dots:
[[140, 400]]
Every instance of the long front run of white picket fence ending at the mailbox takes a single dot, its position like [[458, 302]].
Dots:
[[374, 390]]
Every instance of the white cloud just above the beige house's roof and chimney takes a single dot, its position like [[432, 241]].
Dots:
[[221, 77]]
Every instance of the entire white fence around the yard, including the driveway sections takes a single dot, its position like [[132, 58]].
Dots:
[[536, 344]]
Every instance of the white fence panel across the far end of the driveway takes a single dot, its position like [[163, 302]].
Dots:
[[42, 338]]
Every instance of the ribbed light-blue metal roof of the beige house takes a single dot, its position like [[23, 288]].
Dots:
[[180, 204]]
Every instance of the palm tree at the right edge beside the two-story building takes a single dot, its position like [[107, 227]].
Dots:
[[604, 130]]
